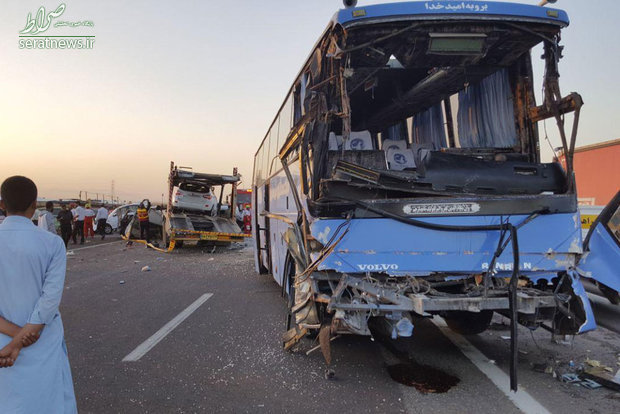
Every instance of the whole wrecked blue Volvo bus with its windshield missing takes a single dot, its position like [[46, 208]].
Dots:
[[402, 176]]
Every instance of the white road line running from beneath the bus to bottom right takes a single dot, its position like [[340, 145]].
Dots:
[[524, 401]]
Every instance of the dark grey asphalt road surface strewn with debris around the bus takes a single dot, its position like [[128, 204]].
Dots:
[[226, 356]]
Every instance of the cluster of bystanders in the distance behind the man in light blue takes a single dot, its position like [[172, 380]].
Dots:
[[78, 221]]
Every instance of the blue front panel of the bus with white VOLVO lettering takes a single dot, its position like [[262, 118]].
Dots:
[[548, 243]]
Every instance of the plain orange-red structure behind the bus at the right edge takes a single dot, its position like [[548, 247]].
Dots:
[[597, 171]]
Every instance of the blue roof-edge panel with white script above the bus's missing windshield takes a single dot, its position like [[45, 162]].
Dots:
[[432, 10]]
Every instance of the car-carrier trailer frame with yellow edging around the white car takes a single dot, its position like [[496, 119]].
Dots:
[[180, 226]]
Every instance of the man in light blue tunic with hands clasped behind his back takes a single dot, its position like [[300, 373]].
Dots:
[[36, 379]]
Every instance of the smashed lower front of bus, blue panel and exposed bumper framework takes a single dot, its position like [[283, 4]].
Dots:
[[387, 270]]
